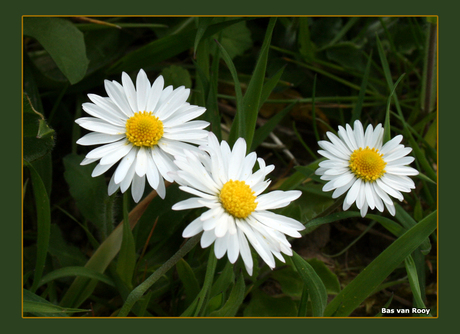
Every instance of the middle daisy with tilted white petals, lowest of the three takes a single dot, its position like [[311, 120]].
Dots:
[[224, 183]]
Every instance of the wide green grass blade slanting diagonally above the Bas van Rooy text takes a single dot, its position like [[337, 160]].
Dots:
[[374, 274]]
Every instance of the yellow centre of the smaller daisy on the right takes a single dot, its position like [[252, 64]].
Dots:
[[367, 164]]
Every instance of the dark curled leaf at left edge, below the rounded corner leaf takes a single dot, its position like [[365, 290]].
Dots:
[[38, 137]]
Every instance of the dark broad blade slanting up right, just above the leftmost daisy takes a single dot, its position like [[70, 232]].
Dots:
[[165, 48]]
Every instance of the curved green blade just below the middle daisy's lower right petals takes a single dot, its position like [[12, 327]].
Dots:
[[316, 288]]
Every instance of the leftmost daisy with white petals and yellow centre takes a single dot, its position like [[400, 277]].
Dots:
[[143, 127]]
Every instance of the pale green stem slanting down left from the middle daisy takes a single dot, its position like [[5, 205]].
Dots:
[[139, 291]]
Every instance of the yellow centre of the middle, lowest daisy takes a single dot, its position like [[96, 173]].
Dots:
[[238, 199]]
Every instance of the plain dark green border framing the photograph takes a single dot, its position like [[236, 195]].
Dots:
[[11, 166]]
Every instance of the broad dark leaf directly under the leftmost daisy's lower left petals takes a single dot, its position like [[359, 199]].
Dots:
[[90, 193]]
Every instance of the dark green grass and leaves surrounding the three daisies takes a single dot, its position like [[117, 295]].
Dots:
[[281, 83]]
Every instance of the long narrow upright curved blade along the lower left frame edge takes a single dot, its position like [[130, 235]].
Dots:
[[42, 204]]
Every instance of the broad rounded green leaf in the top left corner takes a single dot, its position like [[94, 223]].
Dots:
[[63, 41]]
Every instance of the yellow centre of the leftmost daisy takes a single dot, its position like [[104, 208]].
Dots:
[[144, 129]]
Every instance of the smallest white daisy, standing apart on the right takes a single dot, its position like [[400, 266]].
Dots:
[[371, 172]]
